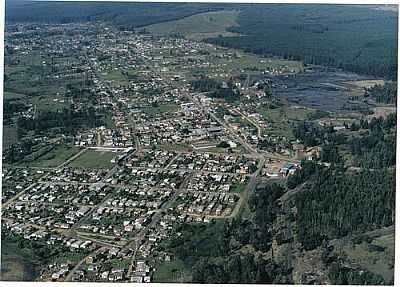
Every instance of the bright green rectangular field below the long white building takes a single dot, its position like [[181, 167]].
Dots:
[[94, 159]]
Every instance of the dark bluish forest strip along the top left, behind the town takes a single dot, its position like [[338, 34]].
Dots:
[[127, 15]]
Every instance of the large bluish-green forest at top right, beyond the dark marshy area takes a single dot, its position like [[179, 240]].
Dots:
[[358, 39]]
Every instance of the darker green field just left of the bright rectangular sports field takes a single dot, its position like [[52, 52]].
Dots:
[[55, 157]]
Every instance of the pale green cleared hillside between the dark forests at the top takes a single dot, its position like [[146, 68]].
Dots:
[[198, 26]]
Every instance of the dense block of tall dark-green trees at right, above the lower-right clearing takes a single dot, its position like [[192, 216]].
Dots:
[[335, 204]]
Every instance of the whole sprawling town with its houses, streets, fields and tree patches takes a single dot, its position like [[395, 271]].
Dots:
[[121, 139]]
